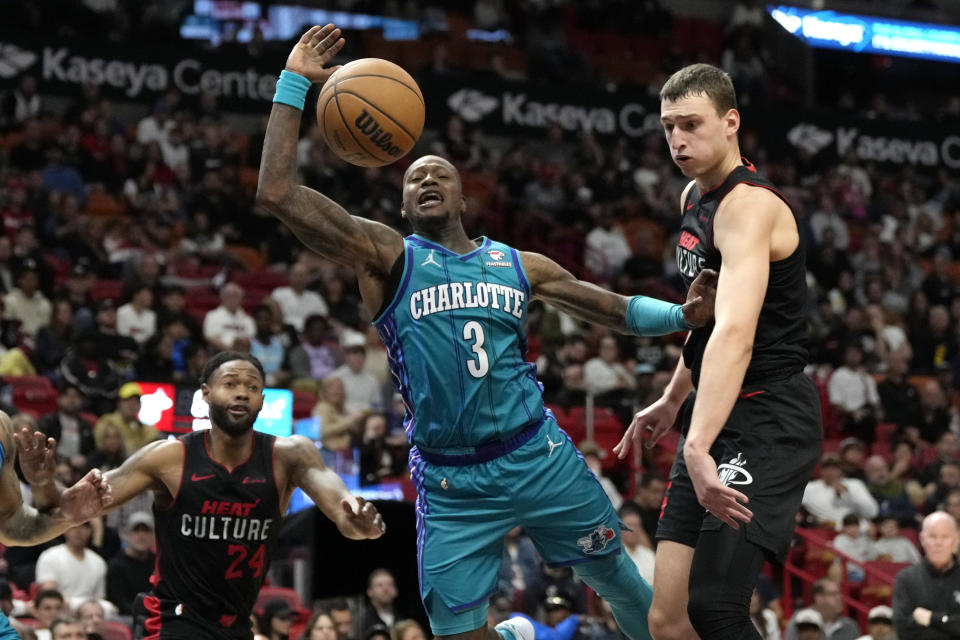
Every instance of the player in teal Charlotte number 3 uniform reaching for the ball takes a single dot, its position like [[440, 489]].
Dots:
[[487, 456]]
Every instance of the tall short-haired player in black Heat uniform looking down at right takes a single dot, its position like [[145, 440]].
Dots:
[[752, 431]]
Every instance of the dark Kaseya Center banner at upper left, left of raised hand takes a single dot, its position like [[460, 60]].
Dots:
[[241, 83]]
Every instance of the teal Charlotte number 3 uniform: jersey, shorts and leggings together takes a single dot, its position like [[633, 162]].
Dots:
[[487, 455]]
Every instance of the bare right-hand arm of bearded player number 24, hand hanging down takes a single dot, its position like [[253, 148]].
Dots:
[[356, 518]]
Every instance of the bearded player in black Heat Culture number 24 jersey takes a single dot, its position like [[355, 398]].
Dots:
[[220, 495]]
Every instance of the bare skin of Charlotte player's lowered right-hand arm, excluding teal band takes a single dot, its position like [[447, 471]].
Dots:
[[584, 300]]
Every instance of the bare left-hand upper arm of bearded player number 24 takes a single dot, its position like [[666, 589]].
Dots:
[[158, 465]]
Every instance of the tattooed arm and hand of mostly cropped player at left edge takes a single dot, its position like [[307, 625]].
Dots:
[[23, 525]]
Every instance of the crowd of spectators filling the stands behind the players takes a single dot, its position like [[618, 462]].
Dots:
[[160, 208]]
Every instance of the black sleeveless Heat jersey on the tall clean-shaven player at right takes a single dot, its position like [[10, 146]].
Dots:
[[780, 343]]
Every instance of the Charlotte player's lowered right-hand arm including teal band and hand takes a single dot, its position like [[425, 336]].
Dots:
[[639, 315]]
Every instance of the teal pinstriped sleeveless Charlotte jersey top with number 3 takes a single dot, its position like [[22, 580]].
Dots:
[[455, 336]]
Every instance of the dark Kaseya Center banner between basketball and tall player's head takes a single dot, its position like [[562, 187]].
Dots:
[[517, 108]]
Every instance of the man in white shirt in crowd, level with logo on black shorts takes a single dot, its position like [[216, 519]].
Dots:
[[833, 496]]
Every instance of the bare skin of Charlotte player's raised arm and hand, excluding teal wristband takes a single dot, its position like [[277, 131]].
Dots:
[[320, 223]]
